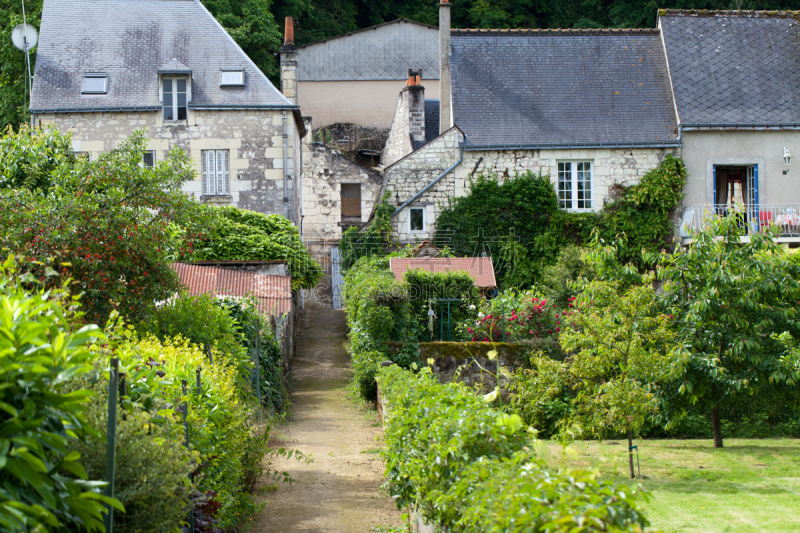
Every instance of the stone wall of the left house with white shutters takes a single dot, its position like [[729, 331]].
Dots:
[[254, 138]]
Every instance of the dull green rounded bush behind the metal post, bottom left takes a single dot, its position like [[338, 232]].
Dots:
[[152, 465]]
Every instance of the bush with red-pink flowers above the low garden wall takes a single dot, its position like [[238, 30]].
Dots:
[[516, 316]]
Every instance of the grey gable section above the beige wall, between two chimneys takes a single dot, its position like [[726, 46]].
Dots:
[[383, 52]]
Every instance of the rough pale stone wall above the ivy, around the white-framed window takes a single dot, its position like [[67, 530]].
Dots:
[[623, 166]]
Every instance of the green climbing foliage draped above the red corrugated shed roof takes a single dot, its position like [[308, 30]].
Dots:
[[231, 234]]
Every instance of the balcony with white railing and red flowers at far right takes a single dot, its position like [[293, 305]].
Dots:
[[786, 217]]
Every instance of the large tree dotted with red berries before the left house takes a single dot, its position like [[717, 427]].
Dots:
[[103, 223]]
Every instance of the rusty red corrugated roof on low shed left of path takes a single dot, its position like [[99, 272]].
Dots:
[[273, 293]]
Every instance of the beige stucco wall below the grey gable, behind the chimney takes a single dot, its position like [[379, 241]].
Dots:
[[365, 103]]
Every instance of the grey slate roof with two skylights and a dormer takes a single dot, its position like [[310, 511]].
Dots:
[[130, 41]]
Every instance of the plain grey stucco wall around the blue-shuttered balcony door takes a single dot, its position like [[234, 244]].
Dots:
[[704, 149]]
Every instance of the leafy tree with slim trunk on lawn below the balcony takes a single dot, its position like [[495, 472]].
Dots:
[[730, 298]]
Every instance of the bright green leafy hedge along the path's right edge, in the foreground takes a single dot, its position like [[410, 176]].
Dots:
[[468, 466]]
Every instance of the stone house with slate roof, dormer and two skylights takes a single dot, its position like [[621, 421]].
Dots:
[[105, 69]]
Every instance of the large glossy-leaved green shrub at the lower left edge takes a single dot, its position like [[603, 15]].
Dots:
[[43, 485]]
